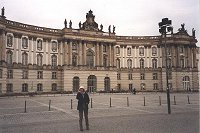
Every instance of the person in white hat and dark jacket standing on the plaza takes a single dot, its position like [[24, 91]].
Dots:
[[83, 101]]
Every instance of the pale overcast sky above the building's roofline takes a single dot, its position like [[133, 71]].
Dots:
[[131, 17]]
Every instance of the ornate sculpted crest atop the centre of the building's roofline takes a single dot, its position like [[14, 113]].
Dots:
[[90, 23]]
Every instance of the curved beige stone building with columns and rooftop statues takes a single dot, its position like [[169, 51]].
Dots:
[[39, 59]]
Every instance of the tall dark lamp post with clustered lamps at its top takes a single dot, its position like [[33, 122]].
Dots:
[[164, 28]]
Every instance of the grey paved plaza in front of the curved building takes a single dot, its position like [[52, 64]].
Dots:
[[108, 113]]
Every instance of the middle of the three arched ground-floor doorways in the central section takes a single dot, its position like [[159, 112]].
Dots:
[[92, 83]]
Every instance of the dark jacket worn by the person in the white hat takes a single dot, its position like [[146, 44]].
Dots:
[[82, 101]]
